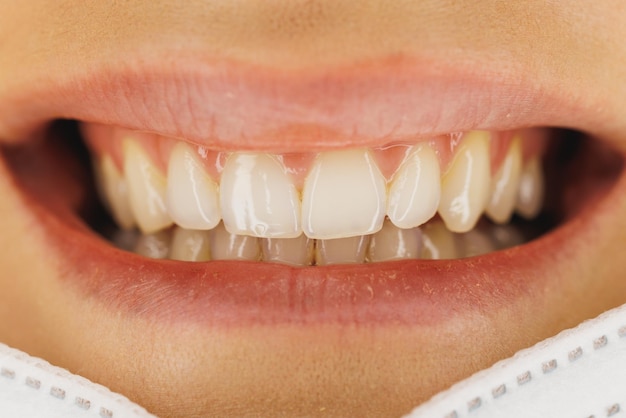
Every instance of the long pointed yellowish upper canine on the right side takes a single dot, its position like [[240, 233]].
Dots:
[[465, 185]]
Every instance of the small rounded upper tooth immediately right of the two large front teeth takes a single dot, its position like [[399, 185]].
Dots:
[[416, 189]]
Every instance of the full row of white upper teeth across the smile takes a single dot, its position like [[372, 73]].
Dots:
[[344, 193]]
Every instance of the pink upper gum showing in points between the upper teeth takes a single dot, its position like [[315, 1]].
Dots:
[[107, 140]]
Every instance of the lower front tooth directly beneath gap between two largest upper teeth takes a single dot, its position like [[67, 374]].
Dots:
[[296, 251]]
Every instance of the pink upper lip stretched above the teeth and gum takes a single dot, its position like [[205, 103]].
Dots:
[[229, 105]]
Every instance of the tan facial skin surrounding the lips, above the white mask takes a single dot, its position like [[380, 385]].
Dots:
[[326, 369]]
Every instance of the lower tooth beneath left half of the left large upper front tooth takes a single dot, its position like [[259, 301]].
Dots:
[[227, 246]]
